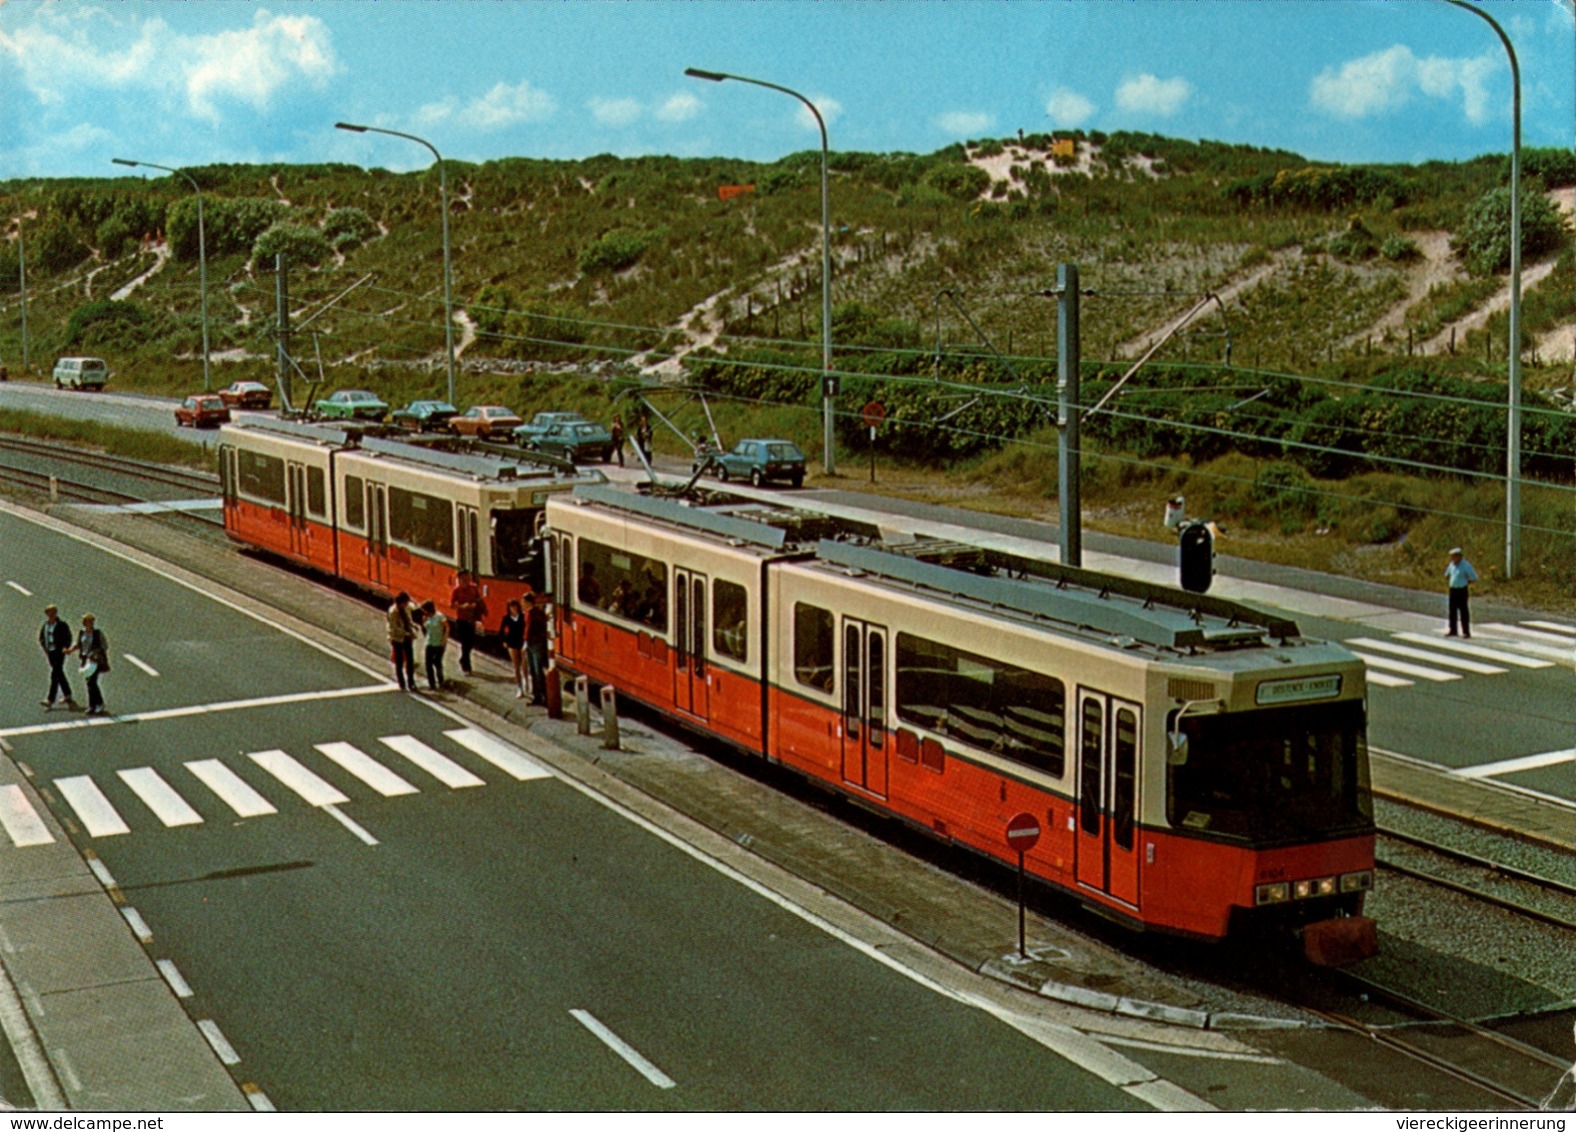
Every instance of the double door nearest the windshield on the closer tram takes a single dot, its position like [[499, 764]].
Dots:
[[1109, 737]]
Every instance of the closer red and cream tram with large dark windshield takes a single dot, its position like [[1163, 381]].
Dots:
[[1194, 764]]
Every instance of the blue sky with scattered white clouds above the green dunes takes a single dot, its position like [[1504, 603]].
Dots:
[[223, 81]]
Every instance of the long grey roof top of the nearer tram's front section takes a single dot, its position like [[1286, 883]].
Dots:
[[1128, 613]]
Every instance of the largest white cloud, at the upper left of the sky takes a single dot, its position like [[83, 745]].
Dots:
[[75, 48]]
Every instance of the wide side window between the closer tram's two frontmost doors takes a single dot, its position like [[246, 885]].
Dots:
[[986, 704]]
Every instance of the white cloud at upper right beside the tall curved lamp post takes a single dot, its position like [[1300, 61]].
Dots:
[[1388, 80]]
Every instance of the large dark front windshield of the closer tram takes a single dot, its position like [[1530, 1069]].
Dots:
[[1274, 776]]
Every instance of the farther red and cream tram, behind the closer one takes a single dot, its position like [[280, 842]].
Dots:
[[388, 515]]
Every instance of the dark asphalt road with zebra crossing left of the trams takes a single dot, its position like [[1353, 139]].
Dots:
[[469, 934]]
